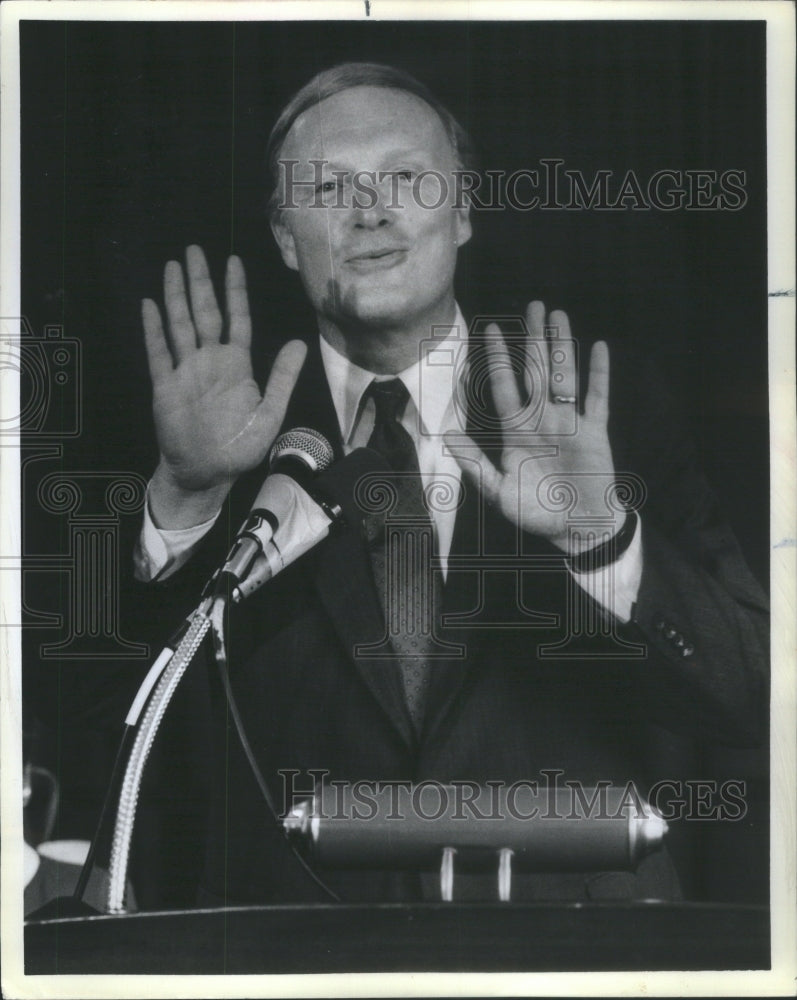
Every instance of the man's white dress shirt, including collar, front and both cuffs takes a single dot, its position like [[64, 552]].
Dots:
[[431, 411]]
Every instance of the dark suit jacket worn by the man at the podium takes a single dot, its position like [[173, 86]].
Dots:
[[503, 711]]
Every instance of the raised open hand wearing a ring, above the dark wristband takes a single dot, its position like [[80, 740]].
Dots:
[[540, 444]]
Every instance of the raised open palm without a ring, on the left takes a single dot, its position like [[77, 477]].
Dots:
[[211, 420]]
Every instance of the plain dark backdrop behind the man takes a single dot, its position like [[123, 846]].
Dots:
[[138, 139]]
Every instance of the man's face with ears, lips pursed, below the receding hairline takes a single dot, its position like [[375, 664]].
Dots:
[[367, 247]]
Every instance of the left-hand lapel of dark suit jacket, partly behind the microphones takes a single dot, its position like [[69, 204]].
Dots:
[[340, 569]]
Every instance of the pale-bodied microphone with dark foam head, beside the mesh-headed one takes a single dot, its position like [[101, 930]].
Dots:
[[308, 515]]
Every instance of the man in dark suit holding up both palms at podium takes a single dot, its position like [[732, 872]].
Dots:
[[553, 647]]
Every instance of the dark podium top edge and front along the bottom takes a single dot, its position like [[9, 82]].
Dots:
[[428, 937]]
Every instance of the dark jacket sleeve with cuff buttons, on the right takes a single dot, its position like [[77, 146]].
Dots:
[[700, 612]]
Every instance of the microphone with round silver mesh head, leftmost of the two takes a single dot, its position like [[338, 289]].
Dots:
[[295, 458]]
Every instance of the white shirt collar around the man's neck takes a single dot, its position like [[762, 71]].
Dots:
[[429, 380]]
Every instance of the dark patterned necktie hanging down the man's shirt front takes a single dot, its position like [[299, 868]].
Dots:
[[401, 554]]
